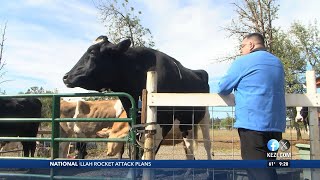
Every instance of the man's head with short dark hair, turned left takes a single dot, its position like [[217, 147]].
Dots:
[[251, 42]]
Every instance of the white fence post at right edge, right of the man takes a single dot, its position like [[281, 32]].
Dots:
[[313, 125]]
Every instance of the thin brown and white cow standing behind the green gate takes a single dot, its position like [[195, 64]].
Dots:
[[86, 109]]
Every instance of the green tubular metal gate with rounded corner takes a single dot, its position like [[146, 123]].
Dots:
[[55, 128]]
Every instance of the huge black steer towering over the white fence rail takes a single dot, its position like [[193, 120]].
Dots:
[[122, 69]]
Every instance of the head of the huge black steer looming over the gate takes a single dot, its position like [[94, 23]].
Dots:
[[99, 66]]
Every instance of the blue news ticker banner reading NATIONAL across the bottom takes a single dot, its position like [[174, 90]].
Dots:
[[14, 163]]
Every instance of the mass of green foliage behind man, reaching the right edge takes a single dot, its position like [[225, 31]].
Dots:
[[293, 47]]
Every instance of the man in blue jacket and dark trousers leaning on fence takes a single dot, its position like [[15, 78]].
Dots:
[[257, 78]]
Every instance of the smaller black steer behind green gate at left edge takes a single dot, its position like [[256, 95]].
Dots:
[[20, 108]]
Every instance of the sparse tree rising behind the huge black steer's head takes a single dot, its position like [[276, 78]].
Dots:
[[123, 21]]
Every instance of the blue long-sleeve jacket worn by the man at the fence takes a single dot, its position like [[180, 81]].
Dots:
[[258, 83]]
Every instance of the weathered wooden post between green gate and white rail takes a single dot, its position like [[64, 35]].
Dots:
[[150, 129]]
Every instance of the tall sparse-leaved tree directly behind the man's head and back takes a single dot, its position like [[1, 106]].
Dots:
[[258, 16]]
